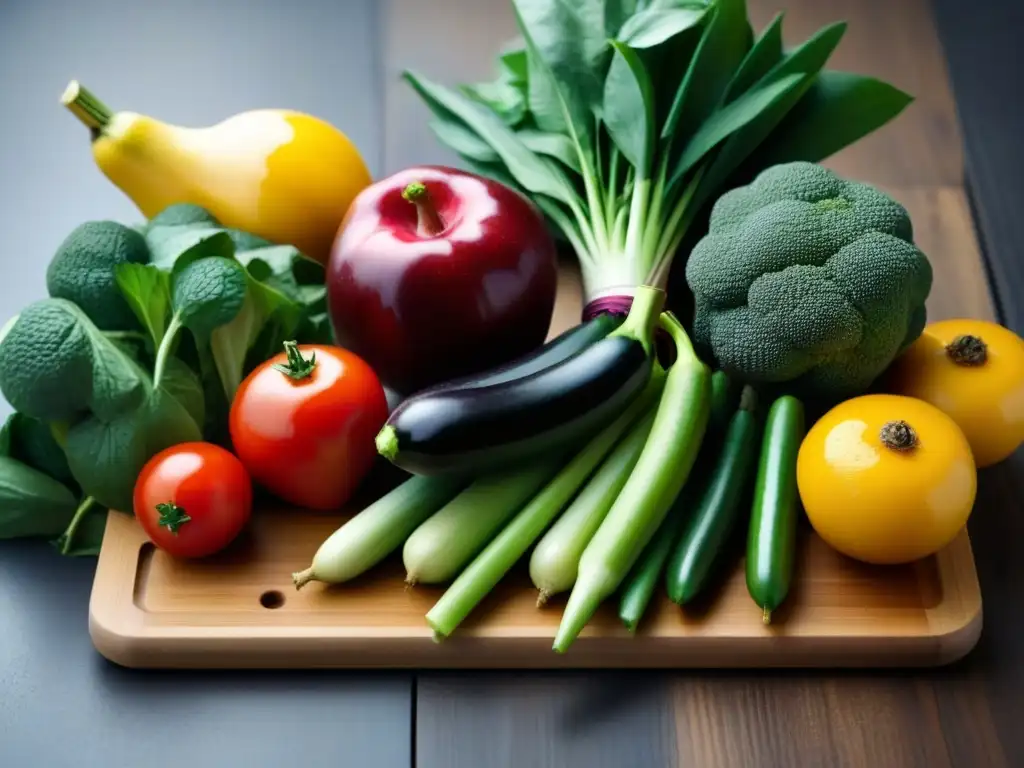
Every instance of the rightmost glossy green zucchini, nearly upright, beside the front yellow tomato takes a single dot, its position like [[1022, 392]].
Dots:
[[773, 537]]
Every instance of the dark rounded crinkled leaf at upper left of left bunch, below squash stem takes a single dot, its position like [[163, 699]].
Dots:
[[82, 272]]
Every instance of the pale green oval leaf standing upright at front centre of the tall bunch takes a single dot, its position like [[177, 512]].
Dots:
[[629, 108]]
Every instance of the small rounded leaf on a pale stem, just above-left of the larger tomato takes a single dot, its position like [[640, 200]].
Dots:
[[208, 293]]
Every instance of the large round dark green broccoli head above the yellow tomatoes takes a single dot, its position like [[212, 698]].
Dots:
[[808, 280]]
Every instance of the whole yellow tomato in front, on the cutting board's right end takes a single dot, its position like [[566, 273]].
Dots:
[[886, 479]]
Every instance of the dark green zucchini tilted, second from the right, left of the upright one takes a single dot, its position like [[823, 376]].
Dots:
[[718, 507]]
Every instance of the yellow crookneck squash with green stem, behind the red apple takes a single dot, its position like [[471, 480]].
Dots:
[[284, 176]]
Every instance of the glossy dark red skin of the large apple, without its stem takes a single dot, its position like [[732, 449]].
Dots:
[[423, 310]]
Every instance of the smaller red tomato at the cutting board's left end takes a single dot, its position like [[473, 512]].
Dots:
[[193, 499]]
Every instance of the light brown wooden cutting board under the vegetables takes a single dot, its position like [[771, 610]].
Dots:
[[240, 610]]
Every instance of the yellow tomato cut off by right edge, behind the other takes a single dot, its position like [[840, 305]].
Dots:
[[974, 371]]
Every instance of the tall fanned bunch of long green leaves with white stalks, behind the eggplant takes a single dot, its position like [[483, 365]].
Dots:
[[622, 119]]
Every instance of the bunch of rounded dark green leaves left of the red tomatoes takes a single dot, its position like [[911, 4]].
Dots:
[[145, 338]]
